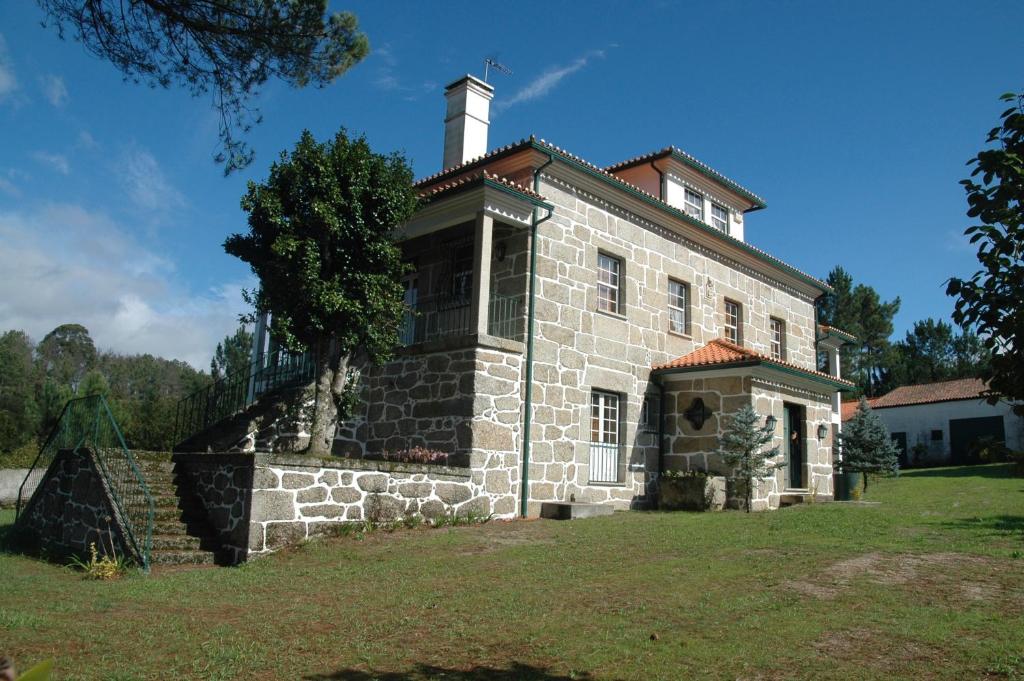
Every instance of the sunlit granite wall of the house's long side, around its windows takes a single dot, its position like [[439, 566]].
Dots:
[[580, 350]]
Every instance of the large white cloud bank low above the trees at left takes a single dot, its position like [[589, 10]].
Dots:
[[63, 264]]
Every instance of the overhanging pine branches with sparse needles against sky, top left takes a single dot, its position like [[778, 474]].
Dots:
[[225, 49]]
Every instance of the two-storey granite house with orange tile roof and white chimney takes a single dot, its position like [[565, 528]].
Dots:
[[576, 330]]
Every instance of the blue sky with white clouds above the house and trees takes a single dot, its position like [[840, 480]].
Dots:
[[854, 120]]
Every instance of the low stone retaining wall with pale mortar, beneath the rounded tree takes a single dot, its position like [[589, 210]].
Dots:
[[261, 503]]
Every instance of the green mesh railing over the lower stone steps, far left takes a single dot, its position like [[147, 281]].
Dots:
[[88, 424]]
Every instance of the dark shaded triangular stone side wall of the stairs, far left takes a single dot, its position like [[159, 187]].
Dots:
[[72, 509]]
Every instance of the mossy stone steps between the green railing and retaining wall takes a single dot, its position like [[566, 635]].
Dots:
[[181, 533]]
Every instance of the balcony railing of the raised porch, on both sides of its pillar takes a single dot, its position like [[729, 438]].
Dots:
[[443, 317]]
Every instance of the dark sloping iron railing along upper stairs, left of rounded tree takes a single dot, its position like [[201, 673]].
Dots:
[[235, 393]]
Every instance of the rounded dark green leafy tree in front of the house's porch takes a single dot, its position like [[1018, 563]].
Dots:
[[321, 241]]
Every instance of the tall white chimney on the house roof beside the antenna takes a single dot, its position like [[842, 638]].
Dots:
[[467, 120]]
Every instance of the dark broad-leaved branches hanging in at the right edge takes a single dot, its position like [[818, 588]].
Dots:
[[991, 301]]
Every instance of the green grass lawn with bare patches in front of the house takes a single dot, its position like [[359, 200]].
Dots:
[[927, 585]]
